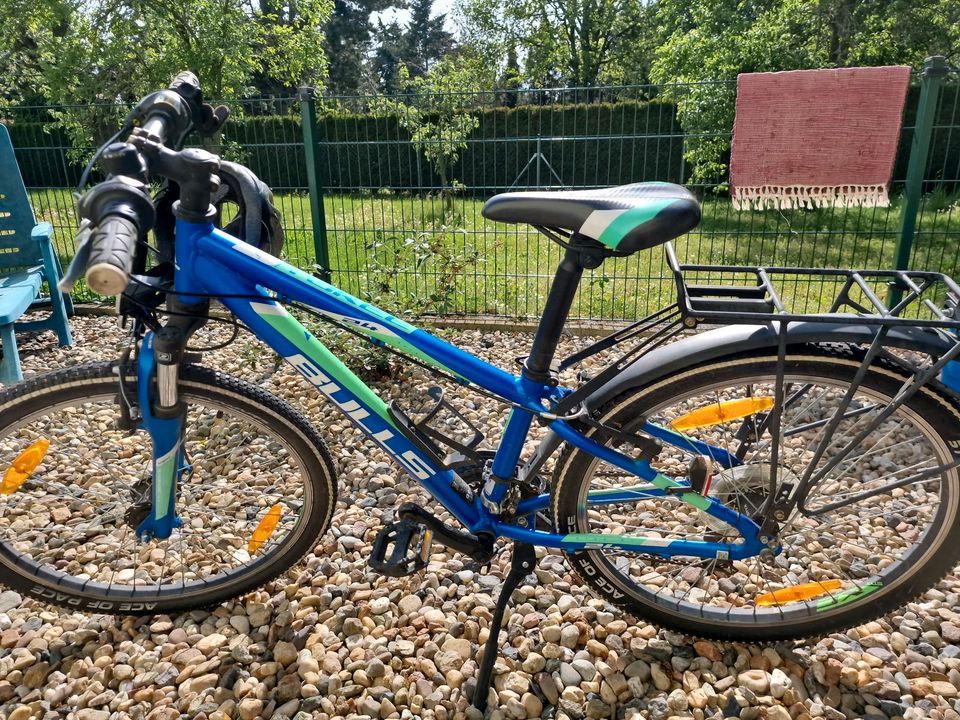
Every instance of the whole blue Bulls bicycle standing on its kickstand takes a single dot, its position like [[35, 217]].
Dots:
[[778, 476]]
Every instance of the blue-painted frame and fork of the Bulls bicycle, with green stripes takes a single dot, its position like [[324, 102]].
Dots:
[[212, 262]]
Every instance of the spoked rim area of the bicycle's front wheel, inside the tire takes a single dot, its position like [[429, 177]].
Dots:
[[69, 525]]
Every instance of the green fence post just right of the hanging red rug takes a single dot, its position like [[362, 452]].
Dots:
[[934, 70]]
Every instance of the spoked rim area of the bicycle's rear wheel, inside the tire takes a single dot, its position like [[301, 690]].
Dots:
[[685, 590]]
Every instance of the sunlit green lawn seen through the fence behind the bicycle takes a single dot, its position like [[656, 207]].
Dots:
[[513, 274]]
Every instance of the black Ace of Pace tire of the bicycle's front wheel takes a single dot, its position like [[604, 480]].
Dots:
[[77, 384]]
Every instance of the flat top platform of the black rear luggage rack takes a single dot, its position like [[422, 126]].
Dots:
[[730, 295]]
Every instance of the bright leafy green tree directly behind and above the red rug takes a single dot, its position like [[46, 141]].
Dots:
[[706, 41]]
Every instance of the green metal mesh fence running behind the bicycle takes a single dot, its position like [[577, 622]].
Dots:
[[364, 202]]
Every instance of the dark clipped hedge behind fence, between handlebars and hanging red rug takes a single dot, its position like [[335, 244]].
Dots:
[[584, 144]]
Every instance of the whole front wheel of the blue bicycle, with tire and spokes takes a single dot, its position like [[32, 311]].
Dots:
[[258, 489]]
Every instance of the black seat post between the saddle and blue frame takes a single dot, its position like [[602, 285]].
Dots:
[[555, 312]]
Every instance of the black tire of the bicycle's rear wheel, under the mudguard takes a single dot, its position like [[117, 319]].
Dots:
[[939, 552]]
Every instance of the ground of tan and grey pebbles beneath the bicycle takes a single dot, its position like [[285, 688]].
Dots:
[[332, 639]]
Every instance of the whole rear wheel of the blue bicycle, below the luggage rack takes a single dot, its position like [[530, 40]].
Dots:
[[877, 530]]
